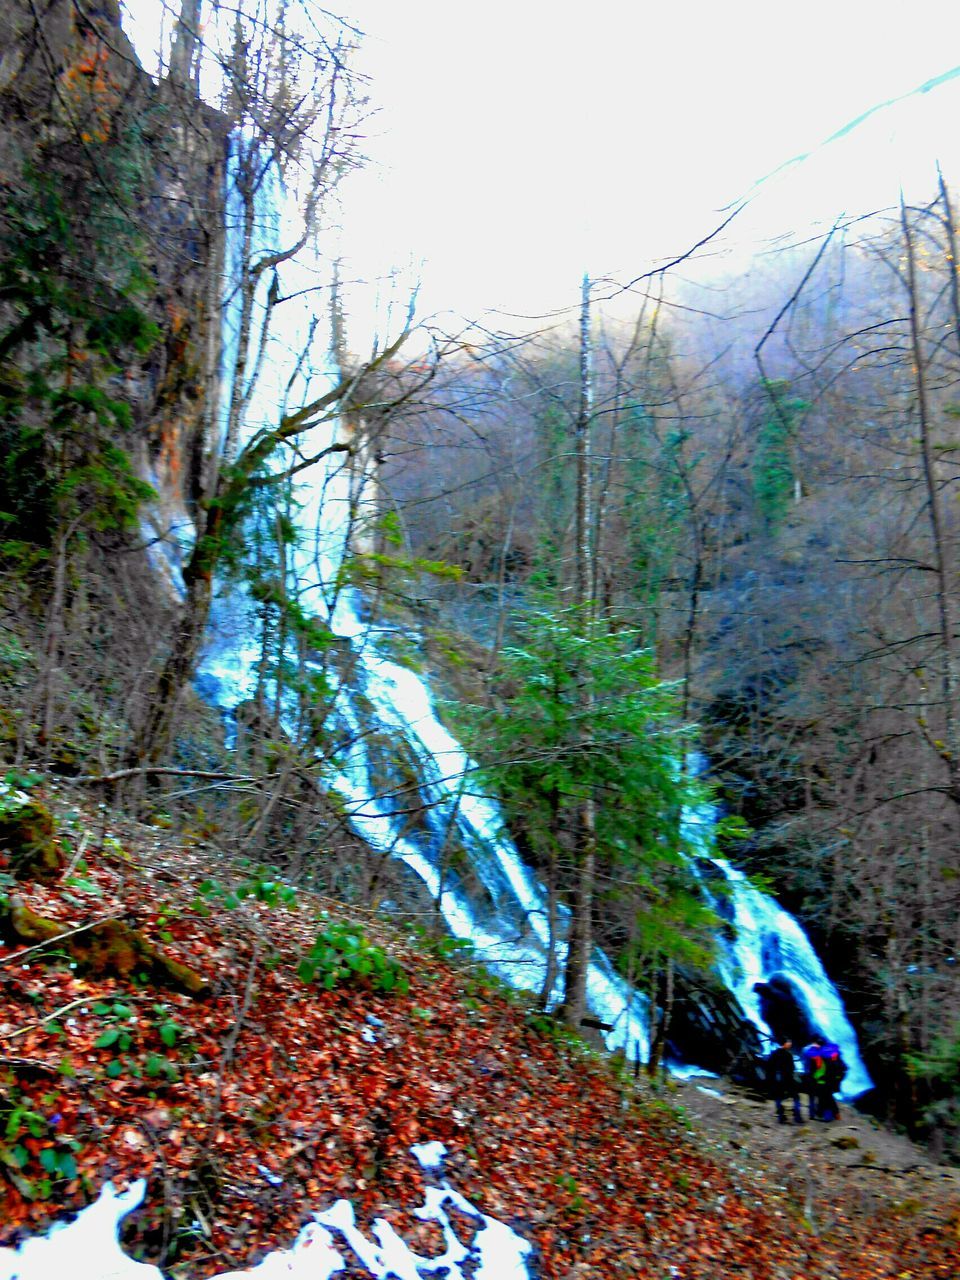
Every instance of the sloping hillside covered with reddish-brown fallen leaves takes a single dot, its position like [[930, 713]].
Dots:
[[266, 1098]]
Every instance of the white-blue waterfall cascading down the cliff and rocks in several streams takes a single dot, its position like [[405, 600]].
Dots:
[[506, 921]]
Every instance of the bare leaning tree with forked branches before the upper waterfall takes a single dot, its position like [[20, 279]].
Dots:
[[294, 113]]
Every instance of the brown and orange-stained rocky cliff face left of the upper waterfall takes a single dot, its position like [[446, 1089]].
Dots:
[[72, 90]]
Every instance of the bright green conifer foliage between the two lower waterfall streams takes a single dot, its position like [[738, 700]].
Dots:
[[583, 712]]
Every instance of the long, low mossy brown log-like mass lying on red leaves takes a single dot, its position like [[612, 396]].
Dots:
[[108, 949]]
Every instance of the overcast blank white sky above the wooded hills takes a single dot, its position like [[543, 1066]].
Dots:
[[519, 143]]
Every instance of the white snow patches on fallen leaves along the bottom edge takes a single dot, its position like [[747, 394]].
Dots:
[[88, 1247]]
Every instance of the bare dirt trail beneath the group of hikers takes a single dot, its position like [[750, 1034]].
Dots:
[[852, 1167]]
